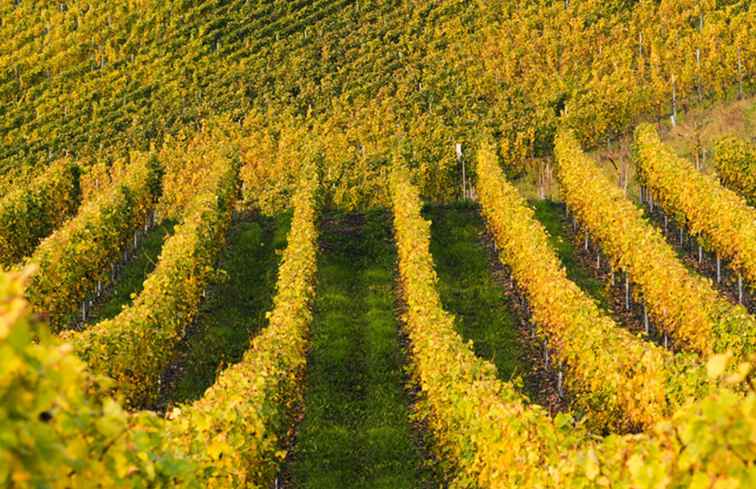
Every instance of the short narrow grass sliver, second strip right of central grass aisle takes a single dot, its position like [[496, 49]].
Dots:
[[551, 215]]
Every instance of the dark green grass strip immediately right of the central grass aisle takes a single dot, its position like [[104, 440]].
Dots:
[[469, 291]]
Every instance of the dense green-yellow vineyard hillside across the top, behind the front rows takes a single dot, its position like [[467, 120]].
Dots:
[[98, 81]]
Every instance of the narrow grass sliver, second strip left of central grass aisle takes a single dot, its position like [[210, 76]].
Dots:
[[132, 277]]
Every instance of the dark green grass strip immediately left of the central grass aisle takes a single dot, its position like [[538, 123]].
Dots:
[[234, 310]]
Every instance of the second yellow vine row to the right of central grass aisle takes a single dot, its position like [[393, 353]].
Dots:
[[620, 381]]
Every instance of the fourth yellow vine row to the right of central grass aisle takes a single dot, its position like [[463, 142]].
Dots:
[[718, 215]]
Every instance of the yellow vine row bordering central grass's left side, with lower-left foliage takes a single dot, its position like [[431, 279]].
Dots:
[[75, 435]]
